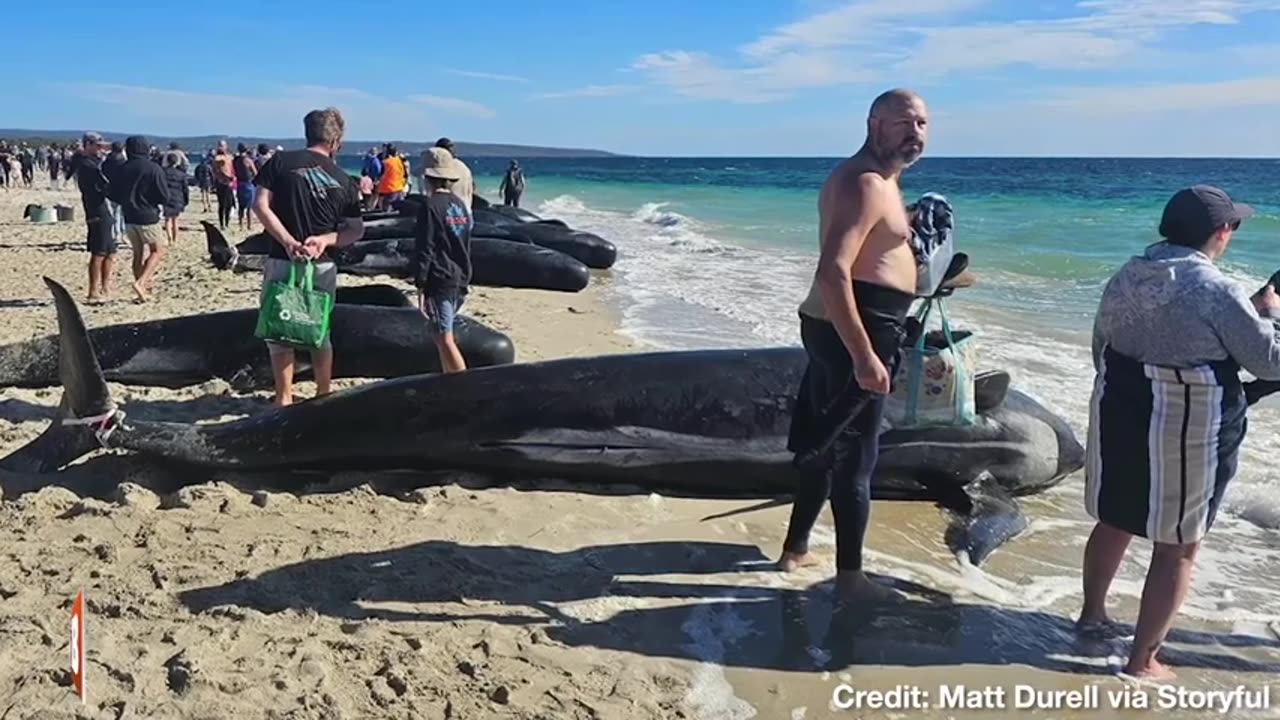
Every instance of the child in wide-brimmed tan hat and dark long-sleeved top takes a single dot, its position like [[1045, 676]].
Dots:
[[442, 254]]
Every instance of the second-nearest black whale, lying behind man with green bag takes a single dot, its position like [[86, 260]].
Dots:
[[376, 331]]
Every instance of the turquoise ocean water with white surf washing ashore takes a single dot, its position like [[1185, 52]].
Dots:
[[719, 253]]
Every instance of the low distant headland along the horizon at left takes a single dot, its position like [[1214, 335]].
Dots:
[[351, 147]]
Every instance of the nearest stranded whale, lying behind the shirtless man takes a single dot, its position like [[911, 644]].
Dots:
[[705, 423]]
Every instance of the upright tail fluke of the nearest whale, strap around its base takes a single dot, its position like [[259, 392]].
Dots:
[[86, 412]]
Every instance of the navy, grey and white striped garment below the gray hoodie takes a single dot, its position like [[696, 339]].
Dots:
[[1163, 446]]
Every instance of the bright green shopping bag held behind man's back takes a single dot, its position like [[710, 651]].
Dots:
[[292, 312]]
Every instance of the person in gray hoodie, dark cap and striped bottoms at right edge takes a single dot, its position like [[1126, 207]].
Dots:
[[1168, 411]]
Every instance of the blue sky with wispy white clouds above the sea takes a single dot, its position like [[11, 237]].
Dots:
[[668, 78]]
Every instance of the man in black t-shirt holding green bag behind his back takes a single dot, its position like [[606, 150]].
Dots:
[[308, 204]]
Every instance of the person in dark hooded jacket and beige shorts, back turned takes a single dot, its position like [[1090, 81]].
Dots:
[[141, 190]]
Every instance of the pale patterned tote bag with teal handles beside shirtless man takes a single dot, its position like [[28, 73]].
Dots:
[[935, 380]]
